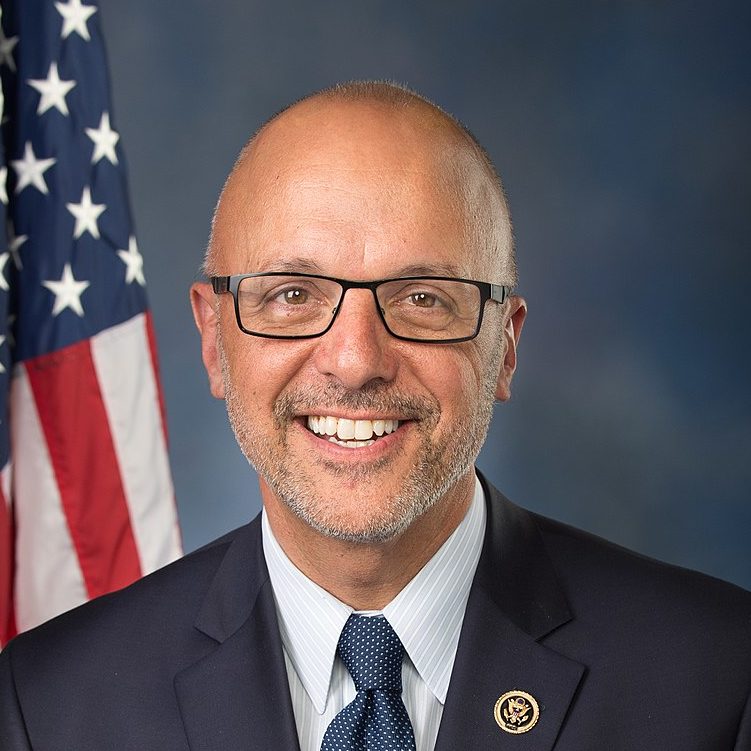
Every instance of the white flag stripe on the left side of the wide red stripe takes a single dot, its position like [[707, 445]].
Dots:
[[48, 578]]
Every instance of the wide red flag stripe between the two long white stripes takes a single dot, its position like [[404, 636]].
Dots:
[[74, 421]]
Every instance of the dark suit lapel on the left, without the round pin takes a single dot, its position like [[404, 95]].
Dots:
[[236, 697]]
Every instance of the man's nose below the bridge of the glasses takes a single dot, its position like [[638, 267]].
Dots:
[[357, 348]]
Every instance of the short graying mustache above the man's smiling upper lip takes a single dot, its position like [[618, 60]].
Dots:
[[372, 397]]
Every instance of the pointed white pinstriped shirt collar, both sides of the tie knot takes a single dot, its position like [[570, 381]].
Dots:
[[427, 614]]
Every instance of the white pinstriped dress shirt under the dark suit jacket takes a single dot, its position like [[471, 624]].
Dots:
[[427, 616]]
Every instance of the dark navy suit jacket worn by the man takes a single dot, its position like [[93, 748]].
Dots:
[[622, 653]]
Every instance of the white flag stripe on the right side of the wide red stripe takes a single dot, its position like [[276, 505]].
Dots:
[[122, 361]]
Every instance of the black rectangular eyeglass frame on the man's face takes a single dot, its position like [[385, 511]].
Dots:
[[496, 292]]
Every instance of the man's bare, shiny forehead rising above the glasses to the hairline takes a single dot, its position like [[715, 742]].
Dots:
[[353, 191]]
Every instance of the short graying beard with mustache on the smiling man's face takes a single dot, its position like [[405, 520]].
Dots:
[[436, 469]]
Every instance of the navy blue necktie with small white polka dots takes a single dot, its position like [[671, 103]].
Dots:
[[376, 719]]
